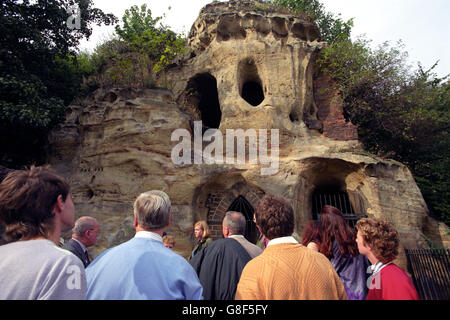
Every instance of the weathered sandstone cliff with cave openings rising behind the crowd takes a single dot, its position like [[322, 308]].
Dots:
[[119, 144]]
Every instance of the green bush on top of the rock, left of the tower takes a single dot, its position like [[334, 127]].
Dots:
[[140, 49]]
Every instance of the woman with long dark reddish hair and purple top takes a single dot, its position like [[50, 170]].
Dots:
[[338, 243]]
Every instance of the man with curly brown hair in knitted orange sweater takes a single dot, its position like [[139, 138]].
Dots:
[[286, 270]]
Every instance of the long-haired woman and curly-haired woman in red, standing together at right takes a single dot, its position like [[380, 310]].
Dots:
[[360, 257]]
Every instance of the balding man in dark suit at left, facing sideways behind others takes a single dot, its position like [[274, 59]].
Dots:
[[84, 235]]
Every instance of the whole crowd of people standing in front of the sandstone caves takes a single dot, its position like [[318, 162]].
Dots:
[[332, 262]]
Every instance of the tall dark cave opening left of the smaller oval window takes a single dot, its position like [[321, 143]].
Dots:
[[204, 88]]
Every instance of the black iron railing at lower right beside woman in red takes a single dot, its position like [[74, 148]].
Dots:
[[430, 271]]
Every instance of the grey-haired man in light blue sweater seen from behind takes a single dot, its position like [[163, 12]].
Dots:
[[142, 268]]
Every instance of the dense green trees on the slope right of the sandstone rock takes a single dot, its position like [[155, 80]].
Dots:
[[400, 114]]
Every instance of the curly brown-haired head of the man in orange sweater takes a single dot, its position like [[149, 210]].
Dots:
[[274, 217]]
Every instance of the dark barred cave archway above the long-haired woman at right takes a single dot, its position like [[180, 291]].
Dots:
[[337, 198]]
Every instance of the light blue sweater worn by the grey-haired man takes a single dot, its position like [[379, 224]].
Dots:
[[142, 269]]
